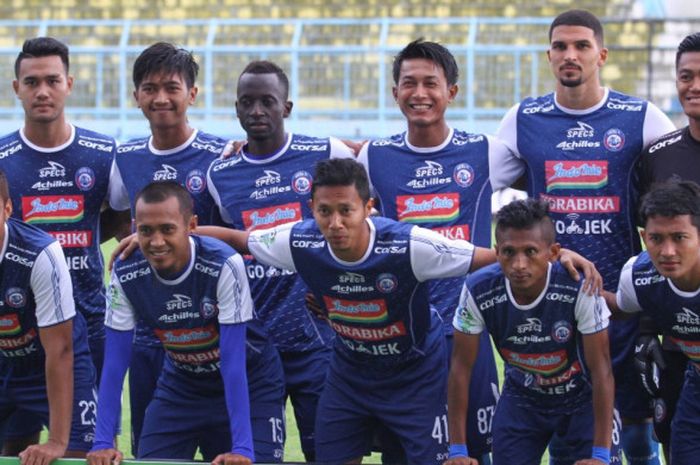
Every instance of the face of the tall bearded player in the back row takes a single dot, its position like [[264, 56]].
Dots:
[[575, 56]]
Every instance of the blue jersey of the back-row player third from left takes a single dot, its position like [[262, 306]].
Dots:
[[256, 193]]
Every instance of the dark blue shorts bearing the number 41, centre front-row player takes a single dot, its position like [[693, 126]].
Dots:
[[409, 400]]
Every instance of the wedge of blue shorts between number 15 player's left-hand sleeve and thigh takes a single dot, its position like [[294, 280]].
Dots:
[[144, 370]]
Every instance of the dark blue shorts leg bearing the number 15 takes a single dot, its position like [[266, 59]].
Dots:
[[267, 402]]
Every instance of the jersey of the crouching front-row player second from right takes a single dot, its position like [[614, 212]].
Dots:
[[540, 342]]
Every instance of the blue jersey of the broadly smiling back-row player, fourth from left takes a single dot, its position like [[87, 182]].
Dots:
[[444, 188]]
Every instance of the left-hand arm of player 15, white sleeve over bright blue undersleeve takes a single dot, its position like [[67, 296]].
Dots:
[[119, 330]]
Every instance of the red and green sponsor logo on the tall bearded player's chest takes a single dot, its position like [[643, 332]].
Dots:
[[576, 174]]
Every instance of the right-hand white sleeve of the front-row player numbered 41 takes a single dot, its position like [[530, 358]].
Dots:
[[434, 256]]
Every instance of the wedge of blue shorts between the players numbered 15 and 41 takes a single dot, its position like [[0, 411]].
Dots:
[[305, 375]]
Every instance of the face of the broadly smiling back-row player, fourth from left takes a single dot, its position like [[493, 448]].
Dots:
[[423, 93]]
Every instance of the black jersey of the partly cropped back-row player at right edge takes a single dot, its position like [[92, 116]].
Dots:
[[673, 156]]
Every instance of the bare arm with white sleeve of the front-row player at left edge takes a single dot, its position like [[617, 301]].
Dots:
[[53, 293]]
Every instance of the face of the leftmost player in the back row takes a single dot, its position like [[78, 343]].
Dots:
[[42, 86]]
